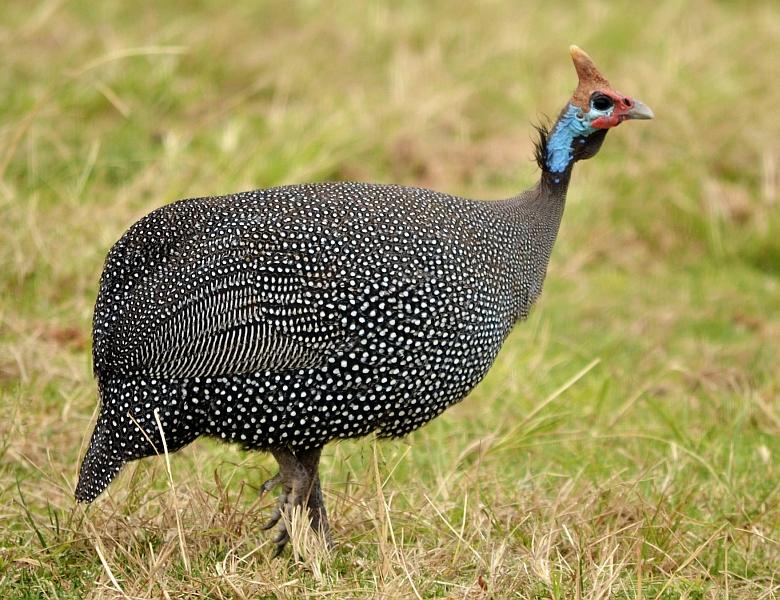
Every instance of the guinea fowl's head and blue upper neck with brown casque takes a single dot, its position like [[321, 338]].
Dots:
[[594, 108]]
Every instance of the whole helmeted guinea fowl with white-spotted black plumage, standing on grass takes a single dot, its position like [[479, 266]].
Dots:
[[285, 318]]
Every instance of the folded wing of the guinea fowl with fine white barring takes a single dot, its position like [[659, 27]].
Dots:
[[235, 299]]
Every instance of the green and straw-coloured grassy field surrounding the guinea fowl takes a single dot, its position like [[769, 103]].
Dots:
[[625, 444]]
